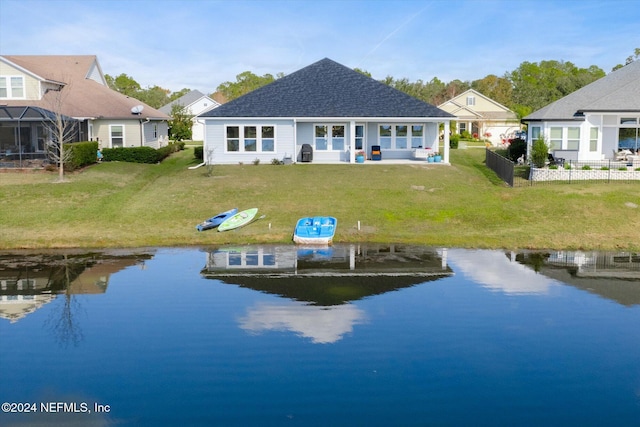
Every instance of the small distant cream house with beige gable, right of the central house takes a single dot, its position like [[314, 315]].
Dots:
[[481, 116]]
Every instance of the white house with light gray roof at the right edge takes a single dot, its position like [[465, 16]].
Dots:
[[594, 122]]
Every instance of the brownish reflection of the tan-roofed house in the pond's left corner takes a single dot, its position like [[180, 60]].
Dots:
[[28, 281]]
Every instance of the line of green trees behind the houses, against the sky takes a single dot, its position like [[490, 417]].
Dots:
[[528, 88]]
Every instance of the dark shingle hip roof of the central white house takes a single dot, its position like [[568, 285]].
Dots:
[[326, 89]]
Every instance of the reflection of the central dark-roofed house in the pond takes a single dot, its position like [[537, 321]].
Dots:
[[326, 275]]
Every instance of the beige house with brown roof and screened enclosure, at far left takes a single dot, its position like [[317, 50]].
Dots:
[[30, 87]]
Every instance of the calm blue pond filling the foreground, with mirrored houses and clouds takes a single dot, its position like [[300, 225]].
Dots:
[[386, 335]]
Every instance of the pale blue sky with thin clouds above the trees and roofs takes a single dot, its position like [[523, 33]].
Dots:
[[199, 44]]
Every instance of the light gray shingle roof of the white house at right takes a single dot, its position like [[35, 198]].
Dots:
[[616, 92]]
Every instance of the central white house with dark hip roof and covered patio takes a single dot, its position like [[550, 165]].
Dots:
[[330, 108]]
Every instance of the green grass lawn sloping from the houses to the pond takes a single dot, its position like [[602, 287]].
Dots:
[[463, 205]]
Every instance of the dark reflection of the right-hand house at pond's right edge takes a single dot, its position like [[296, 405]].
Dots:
[[612, 275]]
